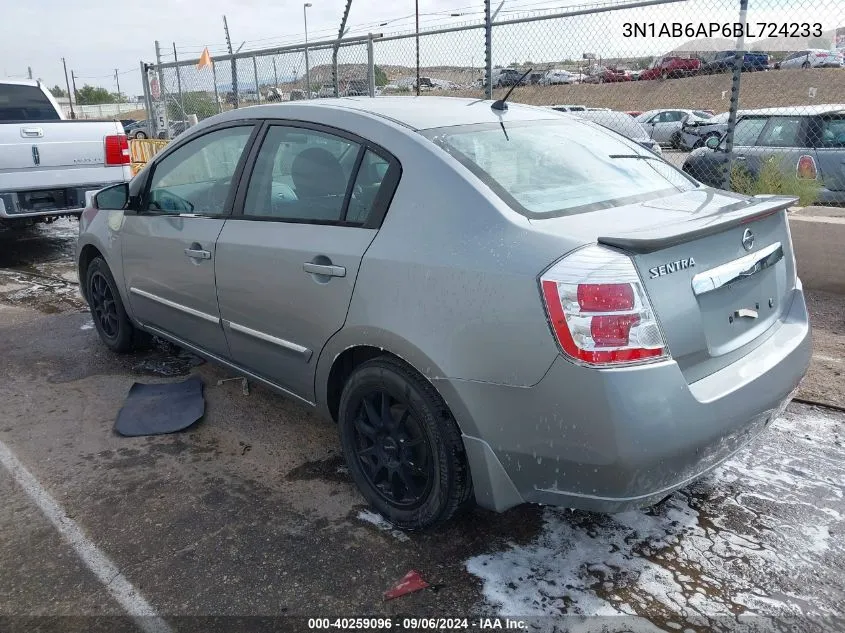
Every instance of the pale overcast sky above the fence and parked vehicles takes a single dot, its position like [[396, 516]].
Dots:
[[96, 39]]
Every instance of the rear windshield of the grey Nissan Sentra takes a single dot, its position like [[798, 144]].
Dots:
[[547, 169]]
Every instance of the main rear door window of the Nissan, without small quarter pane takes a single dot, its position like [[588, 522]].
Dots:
[[301, 175]]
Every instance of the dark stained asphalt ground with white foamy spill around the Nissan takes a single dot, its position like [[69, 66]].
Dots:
[[251, 512]]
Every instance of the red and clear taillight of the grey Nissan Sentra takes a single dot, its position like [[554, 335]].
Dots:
[[606, 321]]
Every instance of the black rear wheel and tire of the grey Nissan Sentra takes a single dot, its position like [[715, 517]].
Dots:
[[402, 445]]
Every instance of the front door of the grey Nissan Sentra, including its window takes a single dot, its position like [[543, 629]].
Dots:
[[168, 242]]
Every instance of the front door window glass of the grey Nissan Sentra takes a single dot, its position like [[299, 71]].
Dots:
[[197, 177]]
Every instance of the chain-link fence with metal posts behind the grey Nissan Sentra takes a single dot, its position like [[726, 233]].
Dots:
[[754, 109]]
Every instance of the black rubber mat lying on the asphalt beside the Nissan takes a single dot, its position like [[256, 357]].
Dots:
[[158, 409]]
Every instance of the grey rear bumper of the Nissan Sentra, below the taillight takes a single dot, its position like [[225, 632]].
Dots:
[[609, 440]]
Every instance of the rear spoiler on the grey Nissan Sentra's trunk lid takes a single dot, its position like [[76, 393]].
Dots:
[[657, 238]]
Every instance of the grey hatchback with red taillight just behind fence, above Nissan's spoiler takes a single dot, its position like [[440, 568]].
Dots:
[[807, 141]]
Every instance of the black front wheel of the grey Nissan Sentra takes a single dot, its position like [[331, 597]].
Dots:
[[107, 311]]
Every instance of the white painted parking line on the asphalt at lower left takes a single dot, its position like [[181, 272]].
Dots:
[[106, 571]]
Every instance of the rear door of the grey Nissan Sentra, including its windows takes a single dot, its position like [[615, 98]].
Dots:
[[288, 258]]
